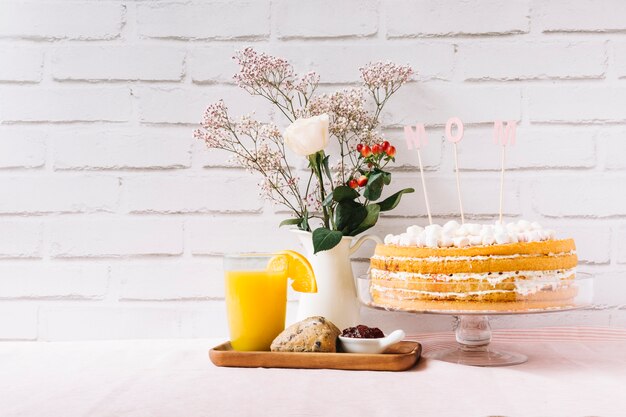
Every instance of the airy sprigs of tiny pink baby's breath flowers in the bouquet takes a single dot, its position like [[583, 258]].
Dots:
[[259, 147]]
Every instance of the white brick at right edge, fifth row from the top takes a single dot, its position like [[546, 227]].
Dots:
[[579, 196]]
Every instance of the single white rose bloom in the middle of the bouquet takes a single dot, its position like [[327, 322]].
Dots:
[[307, 136]]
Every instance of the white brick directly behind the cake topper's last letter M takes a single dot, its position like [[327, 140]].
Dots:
[[534, 148]]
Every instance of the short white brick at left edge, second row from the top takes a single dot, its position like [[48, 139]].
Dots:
[[20, 64]]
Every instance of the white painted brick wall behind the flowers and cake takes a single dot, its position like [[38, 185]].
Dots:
[[113, 218]]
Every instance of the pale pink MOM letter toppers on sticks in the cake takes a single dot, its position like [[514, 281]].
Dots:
[[504, 134]]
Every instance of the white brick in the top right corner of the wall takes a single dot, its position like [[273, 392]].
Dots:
[[583, 16]]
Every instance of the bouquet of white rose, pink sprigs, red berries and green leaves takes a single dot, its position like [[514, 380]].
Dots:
[[338, 197]]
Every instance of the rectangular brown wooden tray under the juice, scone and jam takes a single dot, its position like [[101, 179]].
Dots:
[[399, 357]]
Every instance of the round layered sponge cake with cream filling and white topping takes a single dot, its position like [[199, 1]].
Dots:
[[514, 266]]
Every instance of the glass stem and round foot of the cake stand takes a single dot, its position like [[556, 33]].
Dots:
[[473, 335]]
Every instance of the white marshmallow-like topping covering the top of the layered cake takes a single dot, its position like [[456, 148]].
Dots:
[[453, 234]]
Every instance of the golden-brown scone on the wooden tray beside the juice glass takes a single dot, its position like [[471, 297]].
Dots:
[[315, 334]]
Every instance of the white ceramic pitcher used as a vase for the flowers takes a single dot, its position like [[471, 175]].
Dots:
[[336, 297]]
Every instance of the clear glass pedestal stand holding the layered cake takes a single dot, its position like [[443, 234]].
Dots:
[[473, 331]]
